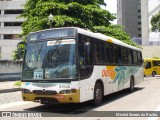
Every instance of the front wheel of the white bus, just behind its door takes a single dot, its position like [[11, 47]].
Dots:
[[98, 94]]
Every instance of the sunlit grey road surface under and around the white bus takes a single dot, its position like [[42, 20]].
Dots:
[[146, 97]]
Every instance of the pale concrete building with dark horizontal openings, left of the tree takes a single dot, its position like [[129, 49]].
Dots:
[[10, 27]]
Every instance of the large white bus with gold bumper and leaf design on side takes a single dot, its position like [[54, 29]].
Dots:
[[74, 65]]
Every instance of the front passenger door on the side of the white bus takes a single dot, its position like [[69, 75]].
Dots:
[[85, 67]]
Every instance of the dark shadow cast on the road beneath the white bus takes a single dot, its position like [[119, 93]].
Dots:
[[81, 108]]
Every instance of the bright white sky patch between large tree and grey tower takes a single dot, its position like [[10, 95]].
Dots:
[[111, 7]]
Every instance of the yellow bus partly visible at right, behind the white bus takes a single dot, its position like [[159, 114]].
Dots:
[[151, 67]]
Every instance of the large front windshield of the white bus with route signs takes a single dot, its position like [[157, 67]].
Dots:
[[50, 60]]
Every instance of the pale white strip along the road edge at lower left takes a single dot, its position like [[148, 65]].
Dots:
[[8, 105]]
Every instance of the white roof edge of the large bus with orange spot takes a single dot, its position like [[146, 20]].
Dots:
[[98, 36]]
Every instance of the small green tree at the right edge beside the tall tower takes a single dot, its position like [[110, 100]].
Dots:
[[155, 22]]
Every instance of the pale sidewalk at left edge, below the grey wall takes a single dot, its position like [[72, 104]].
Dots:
[[8, 86]]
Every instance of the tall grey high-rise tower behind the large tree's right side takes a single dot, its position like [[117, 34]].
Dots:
[[129, 16]]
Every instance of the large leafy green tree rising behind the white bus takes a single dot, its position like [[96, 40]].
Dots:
[[78, 13]]
